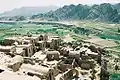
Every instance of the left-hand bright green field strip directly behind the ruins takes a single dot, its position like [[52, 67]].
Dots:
[[7, 30]]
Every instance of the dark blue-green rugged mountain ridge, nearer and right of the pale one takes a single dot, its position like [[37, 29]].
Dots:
[[103, 12]]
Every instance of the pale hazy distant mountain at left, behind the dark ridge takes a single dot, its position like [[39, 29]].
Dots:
[[28, 11]]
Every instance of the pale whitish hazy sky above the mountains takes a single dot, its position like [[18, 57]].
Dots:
[[6, 5]]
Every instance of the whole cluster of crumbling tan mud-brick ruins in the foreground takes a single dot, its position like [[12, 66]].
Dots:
[[42, 57]]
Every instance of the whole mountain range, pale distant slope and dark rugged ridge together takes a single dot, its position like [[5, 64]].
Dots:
[[101, 12]]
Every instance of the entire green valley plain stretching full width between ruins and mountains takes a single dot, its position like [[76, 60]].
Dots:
[[84, 29]]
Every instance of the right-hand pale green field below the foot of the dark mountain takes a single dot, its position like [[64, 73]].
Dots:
[[100, 29]]
